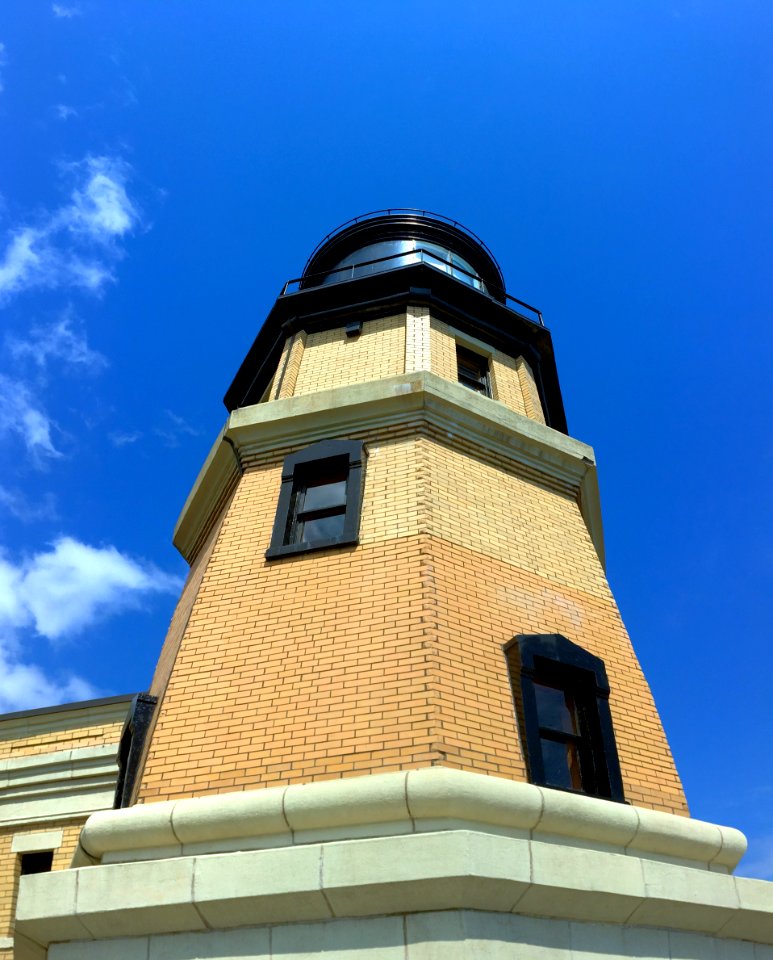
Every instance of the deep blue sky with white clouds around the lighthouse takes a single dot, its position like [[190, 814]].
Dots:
[[165, 167]]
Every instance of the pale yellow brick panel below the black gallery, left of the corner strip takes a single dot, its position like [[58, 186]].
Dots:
[[331, 359]]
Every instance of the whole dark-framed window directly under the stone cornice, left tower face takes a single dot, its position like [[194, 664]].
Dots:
[[320, 497]]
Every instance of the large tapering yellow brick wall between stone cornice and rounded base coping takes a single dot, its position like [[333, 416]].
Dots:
[[389, 655]]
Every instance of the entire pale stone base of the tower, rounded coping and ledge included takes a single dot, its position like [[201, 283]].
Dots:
[[418, 864]]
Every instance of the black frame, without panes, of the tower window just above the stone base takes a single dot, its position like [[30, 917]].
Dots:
[[554, 661]]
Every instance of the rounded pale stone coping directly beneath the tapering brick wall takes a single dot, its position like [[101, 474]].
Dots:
[[413, 801]]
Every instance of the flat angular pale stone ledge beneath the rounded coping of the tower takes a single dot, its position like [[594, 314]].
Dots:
[[410, 874]]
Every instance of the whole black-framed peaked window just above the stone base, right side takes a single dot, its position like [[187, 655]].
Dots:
[[561, 697]]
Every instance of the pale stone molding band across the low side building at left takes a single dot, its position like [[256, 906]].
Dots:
[[57, 785]]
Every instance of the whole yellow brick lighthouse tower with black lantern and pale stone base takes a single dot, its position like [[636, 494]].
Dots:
[[397, 713]]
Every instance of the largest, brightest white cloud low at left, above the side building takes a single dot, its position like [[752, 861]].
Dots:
[[59, 592]]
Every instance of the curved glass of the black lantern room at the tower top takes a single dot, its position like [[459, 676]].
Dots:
[[392, 254]]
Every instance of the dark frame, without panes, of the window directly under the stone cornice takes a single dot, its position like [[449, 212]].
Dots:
[[294, 468]]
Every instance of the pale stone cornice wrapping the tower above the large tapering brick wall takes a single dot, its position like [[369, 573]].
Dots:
[[350, 411]]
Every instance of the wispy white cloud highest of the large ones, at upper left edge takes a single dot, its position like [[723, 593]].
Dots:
[[77, 244]]
